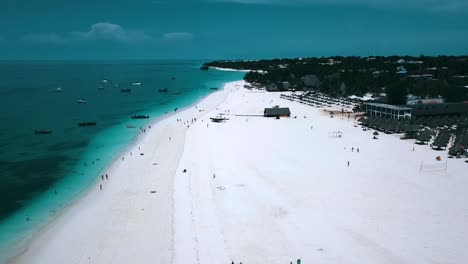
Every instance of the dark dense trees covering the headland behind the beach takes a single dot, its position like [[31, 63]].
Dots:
[[395, 76]]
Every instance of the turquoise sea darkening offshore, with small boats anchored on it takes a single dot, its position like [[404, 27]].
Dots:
[[40, 174]]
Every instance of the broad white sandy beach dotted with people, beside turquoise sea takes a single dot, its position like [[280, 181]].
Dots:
[[262, 190]]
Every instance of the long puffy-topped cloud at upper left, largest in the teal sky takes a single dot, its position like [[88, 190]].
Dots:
[[99, 31]]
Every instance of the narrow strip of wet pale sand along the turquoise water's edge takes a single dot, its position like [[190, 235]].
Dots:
[[24, 245]]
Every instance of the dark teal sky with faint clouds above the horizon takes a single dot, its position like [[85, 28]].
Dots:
[[219, 29]]
